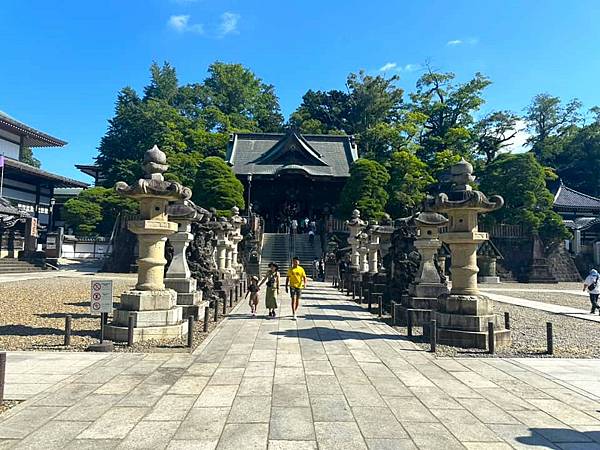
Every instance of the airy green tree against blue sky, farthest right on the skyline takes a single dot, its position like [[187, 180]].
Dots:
[[550, 123]]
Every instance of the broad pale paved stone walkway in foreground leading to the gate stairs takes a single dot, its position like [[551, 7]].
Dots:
[[334, 379]]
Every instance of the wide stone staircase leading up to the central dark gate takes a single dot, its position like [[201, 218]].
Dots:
[[276, 248]]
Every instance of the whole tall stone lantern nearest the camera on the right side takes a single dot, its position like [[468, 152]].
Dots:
[[463, 316]]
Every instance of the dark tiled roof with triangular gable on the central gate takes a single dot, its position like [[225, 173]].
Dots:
[[271, 154]]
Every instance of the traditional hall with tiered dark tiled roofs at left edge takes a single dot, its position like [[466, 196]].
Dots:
[[27, 197]]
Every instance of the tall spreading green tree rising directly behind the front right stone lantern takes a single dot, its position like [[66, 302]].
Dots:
[[448, 108]]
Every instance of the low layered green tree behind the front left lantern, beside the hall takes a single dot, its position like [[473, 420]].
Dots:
[[95, 210]]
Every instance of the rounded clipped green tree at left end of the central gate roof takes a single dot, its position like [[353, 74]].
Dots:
[[217, 187]]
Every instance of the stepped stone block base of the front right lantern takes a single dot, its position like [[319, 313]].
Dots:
[[462, 321]]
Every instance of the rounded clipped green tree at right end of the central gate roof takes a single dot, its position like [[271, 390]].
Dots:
[[365, 190]]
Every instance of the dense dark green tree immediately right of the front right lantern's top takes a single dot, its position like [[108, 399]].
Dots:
[[521, 180]]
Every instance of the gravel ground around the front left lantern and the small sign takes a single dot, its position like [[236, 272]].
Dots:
[[32, 316]]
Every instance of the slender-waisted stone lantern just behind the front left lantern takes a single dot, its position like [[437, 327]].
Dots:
[[178, 276]]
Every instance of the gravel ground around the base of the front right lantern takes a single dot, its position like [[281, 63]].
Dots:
[[573, 338]]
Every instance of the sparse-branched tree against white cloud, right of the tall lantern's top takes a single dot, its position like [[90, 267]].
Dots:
[[494, 132]]
